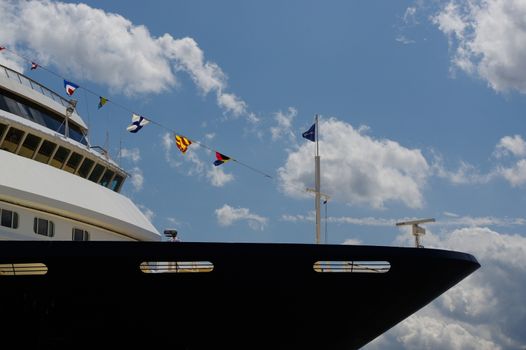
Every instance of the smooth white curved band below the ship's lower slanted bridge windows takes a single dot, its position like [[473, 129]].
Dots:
[[38, 186]]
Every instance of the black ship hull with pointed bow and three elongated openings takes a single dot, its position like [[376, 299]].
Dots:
[[258, 295]]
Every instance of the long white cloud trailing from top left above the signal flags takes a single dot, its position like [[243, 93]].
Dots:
[[115, 52]]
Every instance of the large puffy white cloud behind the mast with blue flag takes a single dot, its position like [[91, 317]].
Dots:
[[356, 168]]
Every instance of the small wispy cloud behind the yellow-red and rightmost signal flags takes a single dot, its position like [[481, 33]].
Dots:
[[192, 165]]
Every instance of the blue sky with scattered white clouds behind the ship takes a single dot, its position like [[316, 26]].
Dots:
[[421, 107]]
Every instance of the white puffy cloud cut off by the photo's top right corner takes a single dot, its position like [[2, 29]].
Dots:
[[488, 38]]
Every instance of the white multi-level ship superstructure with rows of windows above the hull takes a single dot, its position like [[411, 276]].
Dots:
[[54, 187]]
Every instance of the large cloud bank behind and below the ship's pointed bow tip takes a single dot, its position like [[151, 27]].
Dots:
[[485, 311]]
